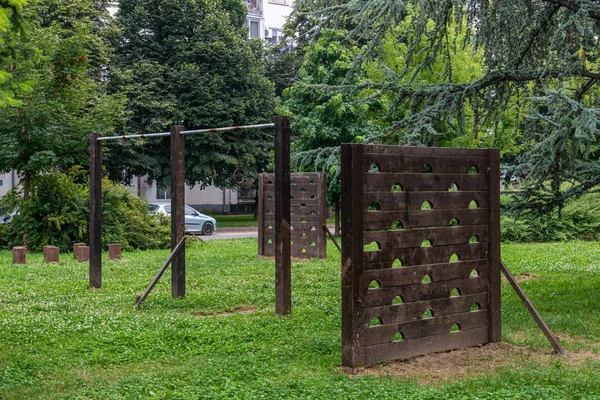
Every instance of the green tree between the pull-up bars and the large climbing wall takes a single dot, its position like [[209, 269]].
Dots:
[[323, 120]]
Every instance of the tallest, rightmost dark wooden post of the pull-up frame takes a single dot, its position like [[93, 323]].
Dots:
[[283, 258]]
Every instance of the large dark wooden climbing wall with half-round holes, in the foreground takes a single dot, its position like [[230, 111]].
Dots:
[[420, 251]]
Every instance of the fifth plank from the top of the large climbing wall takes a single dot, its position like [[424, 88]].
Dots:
[[414, 237]]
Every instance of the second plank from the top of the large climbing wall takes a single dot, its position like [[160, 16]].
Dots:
[[383, 182]]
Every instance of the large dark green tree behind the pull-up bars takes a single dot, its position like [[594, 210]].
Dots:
[[191, 62]]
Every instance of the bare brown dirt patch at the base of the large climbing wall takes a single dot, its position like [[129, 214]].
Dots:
[[457, 365]]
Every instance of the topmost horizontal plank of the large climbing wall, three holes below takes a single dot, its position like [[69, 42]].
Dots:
[[417, 163]]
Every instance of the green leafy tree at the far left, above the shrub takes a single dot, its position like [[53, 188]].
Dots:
[[47, 126]]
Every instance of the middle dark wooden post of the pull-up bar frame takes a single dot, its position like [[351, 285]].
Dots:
[[177, 210]]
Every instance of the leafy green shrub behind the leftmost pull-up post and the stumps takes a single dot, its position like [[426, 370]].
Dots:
[[58, 214]]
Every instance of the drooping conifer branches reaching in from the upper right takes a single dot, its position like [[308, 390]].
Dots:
[[540, 67]]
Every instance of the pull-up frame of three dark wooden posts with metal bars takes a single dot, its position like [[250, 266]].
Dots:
[[177, 134]]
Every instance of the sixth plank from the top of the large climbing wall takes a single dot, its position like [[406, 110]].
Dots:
[[424, 255]]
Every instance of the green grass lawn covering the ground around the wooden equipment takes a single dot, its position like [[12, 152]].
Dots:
[[223, 341]]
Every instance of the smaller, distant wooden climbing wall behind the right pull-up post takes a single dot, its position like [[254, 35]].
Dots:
[[308, 191]]
